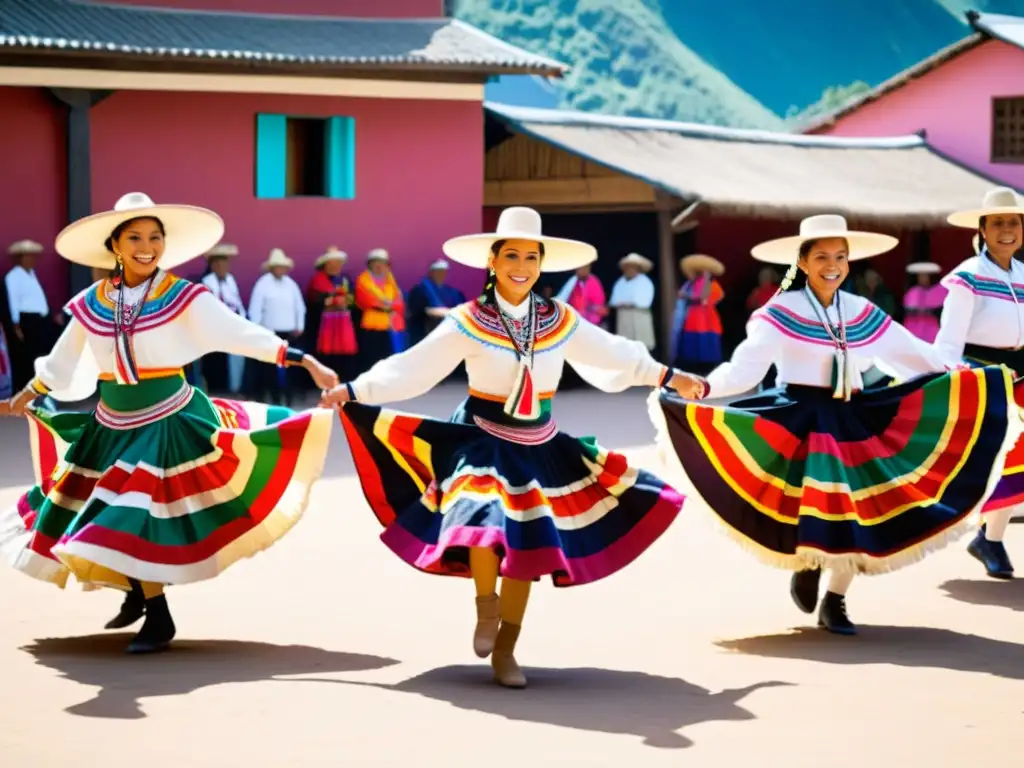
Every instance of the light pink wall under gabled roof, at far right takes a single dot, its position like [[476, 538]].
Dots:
[[954, 105]]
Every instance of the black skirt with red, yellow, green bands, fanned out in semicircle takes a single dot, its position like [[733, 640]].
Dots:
[[872, 485]]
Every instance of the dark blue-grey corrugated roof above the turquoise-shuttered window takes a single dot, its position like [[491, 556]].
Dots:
[[302, 40]]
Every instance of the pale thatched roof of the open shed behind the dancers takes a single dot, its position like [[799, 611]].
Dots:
[[898, 182]]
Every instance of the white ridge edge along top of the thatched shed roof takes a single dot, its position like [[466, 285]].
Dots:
[[528, 115]]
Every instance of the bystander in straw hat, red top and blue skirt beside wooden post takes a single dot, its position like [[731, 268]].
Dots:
[[697, 326]]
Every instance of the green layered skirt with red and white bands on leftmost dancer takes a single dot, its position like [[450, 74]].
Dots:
[[161, 484]]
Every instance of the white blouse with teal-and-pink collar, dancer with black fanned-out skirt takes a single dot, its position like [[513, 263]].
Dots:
[[787, 332]]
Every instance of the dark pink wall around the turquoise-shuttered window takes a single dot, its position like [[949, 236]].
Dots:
[[419, 176]]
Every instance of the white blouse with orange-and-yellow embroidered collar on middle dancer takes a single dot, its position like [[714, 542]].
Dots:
[[476, 335]]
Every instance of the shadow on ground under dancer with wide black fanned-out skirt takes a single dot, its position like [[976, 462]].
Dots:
[[902, 647]]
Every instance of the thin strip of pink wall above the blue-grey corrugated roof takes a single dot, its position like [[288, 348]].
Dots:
[[351, 9]]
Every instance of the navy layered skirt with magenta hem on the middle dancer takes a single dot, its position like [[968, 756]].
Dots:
[[548, 504]]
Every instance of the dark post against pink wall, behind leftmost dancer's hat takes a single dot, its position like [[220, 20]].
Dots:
[[79, 172]]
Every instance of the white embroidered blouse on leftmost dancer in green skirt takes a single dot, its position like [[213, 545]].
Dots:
[[180, 323]]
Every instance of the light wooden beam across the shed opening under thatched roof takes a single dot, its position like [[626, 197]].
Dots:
[[602, 191]]
